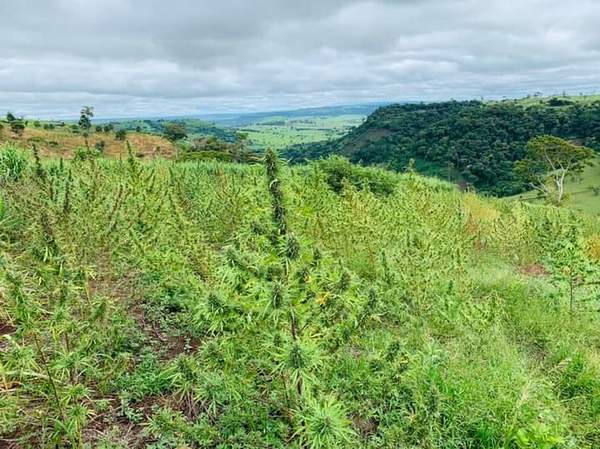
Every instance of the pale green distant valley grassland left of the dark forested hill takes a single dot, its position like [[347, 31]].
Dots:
[[279, 132]]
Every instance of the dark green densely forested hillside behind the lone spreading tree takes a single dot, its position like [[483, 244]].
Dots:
[[468, 142]]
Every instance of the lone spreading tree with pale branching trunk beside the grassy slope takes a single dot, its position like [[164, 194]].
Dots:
[[547, 163]]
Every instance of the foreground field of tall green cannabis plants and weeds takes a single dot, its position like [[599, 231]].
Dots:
[[171, 304]]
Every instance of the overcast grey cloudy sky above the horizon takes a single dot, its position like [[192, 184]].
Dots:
[[157, 57]]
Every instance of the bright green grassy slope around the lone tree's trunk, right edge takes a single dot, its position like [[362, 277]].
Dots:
[[580, 190]]
